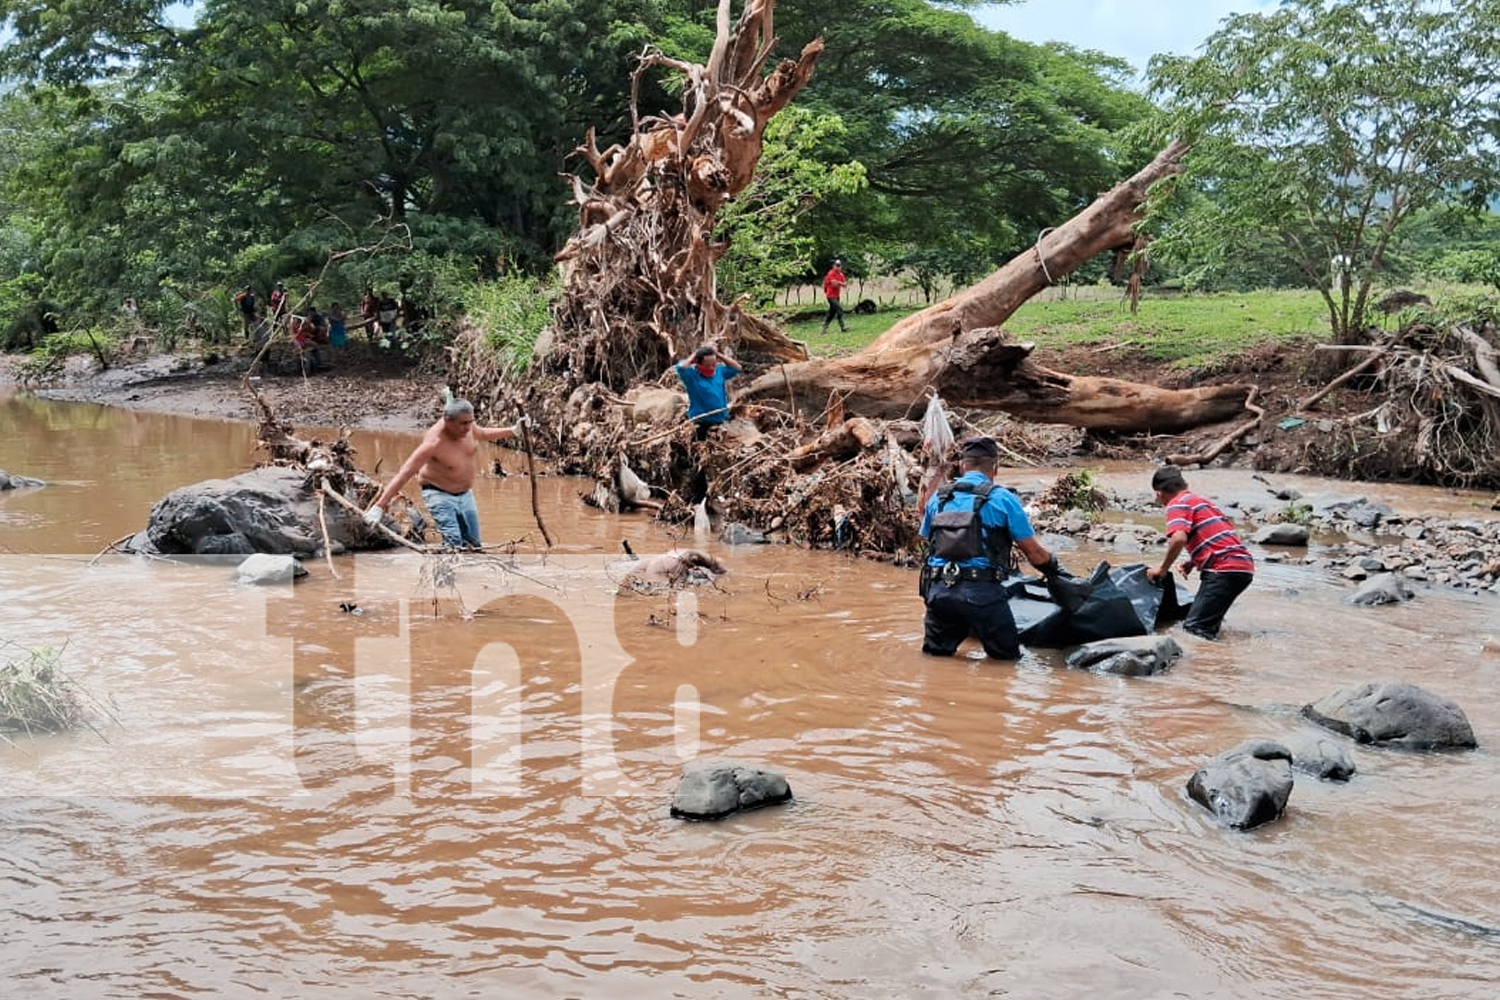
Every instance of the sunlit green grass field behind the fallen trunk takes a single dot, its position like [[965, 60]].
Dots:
[[1187, 331]]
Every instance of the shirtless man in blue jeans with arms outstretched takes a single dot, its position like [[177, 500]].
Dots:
[[445, 466]]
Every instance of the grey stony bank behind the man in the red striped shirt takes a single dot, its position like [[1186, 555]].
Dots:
[[1361, 540]]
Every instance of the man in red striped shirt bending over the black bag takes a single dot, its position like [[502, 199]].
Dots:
[[1223, 561]]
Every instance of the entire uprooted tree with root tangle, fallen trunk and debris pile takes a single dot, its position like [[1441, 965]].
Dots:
[[640, 293]]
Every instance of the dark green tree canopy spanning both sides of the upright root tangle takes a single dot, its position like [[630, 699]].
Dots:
[[253, 142]]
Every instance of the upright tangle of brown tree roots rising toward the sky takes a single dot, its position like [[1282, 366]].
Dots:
[[640, 272]]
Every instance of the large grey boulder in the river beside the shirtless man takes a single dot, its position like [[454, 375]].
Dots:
[[265, 510]]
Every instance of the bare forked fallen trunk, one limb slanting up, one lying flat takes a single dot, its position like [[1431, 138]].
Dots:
[[958, 350]]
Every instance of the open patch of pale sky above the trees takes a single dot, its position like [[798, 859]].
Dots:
[[1132, 29]]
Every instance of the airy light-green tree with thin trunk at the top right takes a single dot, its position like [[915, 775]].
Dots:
[[1325, 125]]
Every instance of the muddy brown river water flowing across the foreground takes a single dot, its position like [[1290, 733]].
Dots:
[[463, 789]]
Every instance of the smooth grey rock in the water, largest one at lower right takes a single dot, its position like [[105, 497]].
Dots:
[[1394, 714]]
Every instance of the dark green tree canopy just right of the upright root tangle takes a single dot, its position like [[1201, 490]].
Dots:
[[974, 142]]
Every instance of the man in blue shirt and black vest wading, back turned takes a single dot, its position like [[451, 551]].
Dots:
[[964, 581]]
